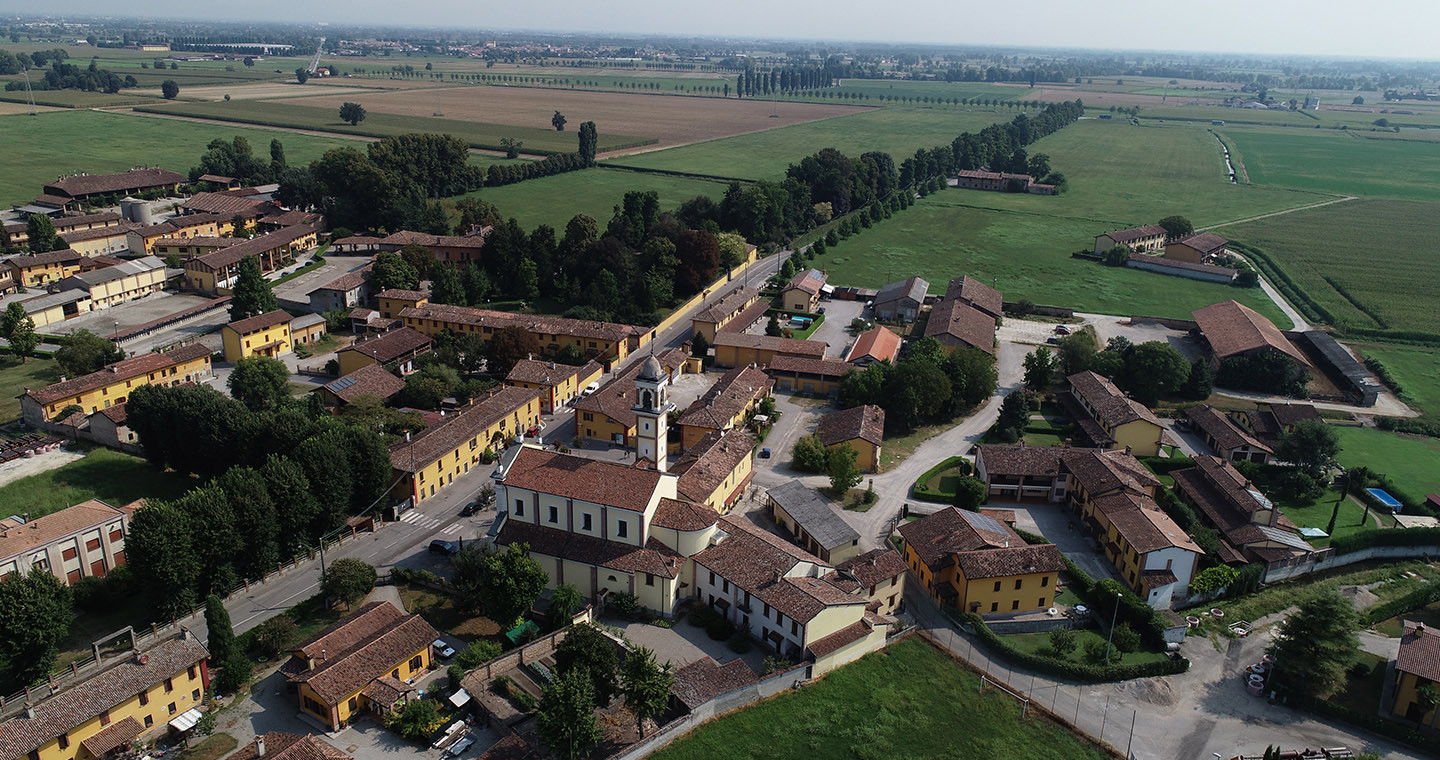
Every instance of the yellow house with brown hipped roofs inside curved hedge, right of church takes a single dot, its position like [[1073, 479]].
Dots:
[[976, 564]]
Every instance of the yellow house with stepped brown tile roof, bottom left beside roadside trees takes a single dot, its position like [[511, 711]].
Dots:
[[366, 663]]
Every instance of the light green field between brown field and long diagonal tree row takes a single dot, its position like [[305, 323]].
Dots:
[[895, 130]]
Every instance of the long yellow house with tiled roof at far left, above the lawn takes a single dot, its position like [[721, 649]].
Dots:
[[112, 385]]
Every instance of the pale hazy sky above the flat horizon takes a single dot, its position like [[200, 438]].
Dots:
[[1403, 30]]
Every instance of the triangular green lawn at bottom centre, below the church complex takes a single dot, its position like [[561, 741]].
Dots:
[[905, 702]]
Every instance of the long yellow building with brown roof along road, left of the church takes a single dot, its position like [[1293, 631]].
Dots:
[[437, 456]]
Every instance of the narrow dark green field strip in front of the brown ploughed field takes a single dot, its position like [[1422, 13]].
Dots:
[[378, 125]]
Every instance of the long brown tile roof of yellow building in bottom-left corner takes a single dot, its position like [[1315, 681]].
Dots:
[[122, 680]]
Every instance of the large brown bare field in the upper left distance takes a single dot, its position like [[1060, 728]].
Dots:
[[669, 120]]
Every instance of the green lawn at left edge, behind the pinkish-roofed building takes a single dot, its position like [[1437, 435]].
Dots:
[[112, 477]]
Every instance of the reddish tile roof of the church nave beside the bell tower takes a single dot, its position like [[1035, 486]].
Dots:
[[577, 477]]
